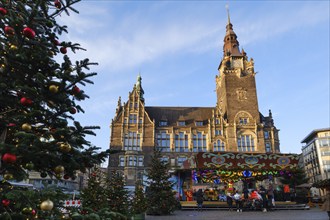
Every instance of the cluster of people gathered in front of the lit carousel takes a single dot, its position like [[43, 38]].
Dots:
[[261, 198]]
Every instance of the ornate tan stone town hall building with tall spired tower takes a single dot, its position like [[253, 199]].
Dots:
[[233, 125]]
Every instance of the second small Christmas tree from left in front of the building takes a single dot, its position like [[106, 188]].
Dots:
[[116, 194]]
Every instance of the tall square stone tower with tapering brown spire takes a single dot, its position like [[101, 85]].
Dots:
[[237, 99]]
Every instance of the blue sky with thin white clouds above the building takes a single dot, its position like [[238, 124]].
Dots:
[[177, 47]]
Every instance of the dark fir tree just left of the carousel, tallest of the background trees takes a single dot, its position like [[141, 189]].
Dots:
[[160, 196]]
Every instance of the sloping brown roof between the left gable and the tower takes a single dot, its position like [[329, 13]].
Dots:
[[175, 114]]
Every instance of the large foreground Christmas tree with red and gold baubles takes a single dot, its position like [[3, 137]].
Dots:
[[40, 91]]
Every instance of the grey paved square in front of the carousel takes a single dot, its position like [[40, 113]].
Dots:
[[312, 214]]
